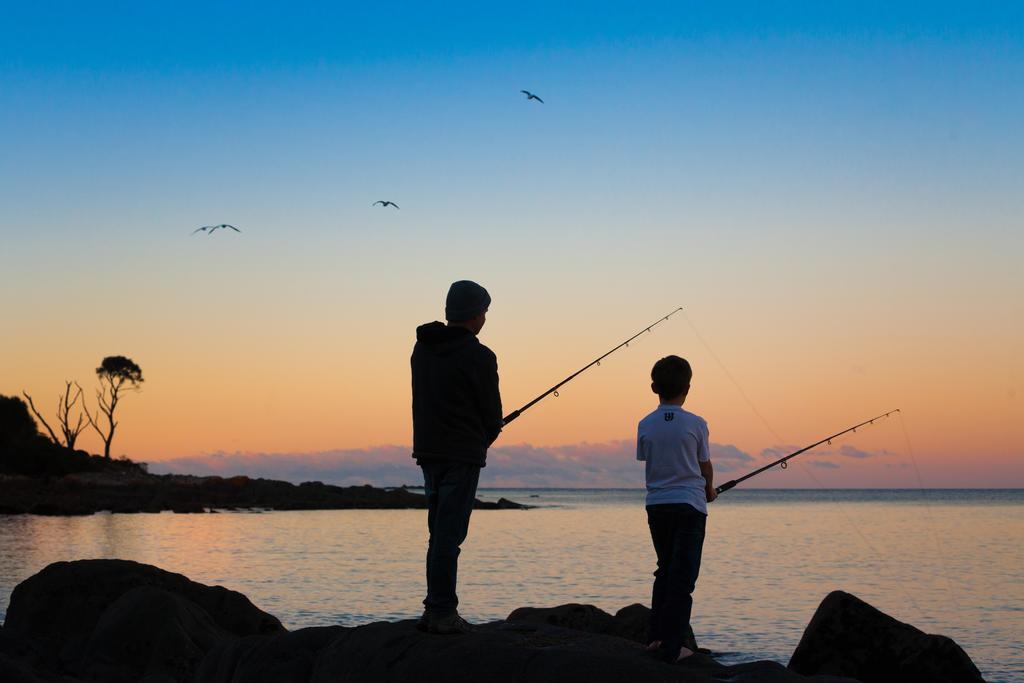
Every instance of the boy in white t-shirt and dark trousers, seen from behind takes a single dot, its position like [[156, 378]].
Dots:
[[673, 443]]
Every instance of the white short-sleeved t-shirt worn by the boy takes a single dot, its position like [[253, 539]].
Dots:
[[672, 442]]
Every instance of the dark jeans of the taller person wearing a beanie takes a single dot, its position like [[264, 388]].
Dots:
[[451, 491]]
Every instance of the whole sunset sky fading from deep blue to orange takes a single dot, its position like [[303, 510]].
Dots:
[[833, 193]]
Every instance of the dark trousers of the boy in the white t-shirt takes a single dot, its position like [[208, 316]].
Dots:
[[678, 533]]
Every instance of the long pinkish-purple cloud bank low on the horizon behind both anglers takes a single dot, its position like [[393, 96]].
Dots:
[[611, 464]]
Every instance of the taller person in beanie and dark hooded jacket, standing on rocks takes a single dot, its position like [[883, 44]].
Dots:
[[457, 415]]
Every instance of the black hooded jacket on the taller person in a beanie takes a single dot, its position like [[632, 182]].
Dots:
[[457, 409]]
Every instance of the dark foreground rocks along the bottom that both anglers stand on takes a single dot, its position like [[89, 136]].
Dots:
[[116, 621]]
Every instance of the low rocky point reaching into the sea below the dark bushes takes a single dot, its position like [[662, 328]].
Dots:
[[131, 490]]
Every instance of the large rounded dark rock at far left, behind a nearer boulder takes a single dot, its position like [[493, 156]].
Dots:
[[60, 608]]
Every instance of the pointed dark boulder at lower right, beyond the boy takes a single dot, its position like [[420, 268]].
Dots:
[[849, 637]]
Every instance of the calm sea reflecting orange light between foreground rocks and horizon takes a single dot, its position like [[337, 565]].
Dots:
[[948, 562]]
